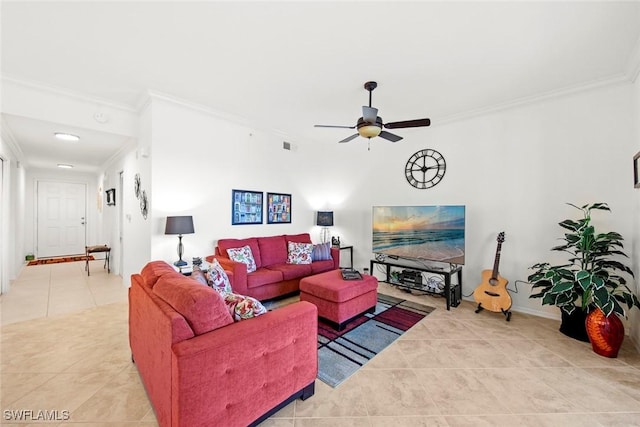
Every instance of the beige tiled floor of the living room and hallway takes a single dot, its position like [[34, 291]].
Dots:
[[64, 348]]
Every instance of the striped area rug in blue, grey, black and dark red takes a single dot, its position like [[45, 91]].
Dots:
[[341, 354]]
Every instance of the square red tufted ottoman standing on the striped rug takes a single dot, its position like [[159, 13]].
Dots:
[[339, 300]]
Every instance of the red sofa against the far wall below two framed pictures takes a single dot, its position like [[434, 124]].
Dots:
[[273, 277]]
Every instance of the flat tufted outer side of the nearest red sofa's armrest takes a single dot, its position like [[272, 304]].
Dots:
[[236, 373]]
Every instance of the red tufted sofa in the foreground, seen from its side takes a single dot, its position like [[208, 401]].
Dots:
[[200, 368]]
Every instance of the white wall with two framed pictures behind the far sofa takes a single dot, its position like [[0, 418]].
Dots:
[[197, 159]]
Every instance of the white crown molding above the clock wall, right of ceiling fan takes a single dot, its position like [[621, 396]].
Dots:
[[528, 100]]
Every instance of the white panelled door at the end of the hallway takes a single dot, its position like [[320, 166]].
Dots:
[[61, 218]]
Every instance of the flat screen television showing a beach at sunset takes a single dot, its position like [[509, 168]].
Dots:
[[428, 233]]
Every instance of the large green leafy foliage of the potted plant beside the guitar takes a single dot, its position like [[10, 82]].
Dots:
[[591, 277]]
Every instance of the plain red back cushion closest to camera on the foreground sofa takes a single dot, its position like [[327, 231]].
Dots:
[[202, 307]]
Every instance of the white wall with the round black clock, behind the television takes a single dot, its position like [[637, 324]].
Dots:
[[514, 170]]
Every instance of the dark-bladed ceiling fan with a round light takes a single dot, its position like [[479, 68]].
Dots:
[[370, 124]]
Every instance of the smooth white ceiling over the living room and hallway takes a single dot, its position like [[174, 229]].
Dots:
[[287, 66]]
